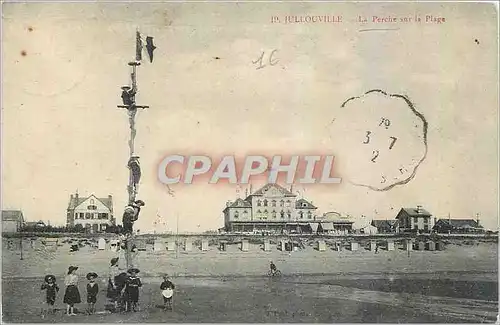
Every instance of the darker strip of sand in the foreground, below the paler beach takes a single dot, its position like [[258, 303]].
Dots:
[[324, 299]]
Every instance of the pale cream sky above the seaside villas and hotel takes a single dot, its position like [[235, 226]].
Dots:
[[64, 63]]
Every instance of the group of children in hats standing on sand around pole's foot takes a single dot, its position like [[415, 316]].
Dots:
[[123, 290]]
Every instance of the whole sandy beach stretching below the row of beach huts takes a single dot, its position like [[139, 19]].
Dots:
[[459, 284]]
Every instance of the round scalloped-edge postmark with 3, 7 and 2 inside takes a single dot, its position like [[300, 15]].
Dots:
[[380, 140]]
